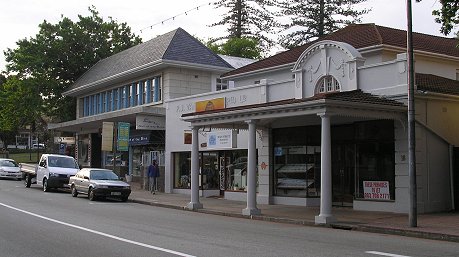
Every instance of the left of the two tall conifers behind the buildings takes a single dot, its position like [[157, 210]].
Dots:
[[248, 18]]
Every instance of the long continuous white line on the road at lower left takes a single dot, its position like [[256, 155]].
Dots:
[[99, 233]]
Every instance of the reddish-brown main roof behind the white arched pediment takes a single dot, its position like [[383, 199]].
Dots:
[[361, 36]]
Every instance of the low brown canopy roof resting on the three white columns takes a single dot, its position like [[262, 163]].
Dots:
[[355, 96]]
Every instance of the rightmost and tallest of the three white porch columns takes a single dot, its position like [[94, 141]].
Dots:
[[325, 216]]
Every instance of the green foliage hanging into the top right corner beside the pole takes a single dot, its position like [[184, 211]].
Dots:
[[447, 16]]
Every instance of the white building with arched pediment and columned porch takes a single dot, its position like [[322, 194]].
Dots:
[[324, 124]]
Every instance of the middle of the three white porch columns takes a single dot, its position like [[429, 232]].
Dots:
[[252, 172]]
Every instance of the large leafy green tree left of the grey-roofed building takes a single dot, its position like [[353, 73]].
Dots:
[[59, 54]]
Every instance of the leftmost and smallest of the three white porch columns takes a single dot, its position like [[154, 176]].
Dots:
[[194, 204]]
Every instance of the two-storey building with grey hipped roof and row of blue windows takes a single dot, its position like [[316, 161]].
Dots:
[[128, 90]]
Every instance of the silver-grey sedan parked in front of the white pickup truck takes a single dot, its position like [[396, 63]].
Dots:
[[99, 183]]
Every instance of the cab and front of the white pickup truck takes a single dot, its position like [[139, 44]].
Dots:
[[54, 171]]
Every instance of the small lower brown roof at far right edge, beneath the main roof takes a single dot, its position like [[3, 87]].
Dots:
[[436, 84]]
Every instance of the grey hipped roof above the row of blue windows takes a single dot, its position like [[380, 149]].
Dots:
[[176, 45]]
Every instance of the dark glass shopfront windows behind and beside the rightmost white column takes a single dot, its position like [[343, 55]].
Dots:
[[361, 152]]
